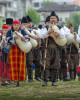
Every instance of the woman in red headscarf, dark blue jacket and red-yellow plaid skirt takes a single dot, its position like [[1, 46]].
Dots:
[[16, 57]]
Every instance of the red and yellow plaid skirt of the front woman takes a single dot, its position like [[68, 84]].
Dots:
[[17, 63]]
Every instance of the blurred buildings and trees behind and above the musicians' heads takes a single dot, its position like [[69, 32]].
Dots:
[[67, 10]]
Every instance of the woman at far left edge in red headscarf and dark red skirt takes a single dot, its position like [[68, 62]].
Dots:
[[4, 69]]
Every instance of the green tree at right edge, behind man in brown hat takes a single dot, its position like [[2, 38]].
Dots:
[[75, 20]]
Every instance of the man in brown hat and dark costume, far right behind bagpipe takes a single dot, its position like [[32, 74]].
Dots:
[[72, 55]]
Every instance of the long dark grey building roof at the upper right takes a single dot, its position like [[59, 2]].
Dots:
[[59, 8]]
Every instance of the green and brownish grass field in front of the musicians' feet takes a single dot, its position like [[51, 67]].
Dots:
[[34, 91]]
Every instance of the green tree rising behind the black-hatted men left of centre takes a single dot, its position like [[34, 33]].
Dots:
[[34, 16]]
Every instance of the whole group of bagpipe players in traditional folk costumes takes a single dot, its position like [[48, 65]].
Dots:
[[50, 57]]
